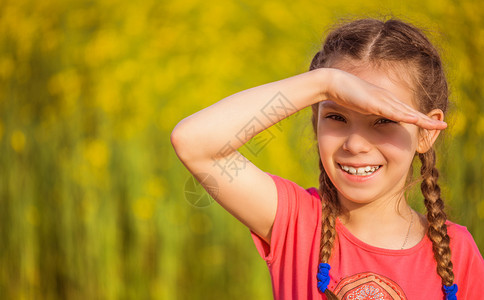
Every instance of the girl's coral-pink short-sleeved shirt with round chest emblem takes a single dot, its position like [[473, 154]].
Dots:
[[358, 270]]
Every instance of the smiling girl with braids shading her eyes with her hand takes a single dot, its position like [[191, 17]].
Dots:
[[378, 95]]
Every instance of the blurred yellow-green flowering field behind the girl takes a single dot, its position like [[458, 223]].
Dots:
[[92, 196]]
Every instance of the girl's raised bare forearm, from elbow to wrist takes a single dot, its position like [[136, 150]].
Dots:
[[234, 120]]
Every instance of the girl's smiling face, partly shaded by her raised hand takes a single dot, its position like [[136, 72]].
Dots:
[[367, 157]]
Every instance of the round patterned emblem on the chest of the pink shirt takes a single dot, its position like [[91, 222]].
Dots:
[[368, 286]]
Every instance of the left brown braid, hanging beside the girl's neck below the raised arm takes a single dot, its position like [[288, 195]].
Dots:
[[330, 208]]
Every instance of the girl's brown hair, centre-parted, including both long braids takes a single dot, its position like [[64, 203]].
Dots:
[[396, 43]]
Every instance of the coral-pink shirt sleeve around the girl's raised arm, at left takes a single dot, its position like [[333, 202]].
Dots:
[[297, 208]]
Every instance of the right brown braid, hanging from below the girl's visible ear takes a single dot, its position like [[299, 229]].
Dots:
[[436, 217]]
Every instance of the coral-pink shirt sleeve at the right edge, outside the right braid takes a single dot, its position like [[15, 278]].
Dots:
[[468, 263]]
